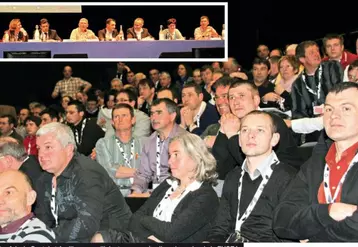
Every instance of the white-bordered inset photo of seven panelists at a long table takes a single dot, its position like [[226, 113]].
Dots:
[[104, 31]]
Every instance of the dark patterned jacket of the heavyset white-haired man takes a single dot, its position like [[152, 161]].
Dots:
[[88, 200]]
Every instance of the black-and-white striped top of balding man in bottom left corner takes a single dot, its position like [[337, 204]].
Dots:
[[32, 230]]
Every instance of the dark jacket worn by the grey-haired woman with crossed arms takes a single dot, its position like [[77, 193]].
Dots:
[[191, 219]]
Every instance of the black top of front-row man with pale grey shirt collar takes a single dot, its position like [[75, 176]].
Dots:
[[258, 226]]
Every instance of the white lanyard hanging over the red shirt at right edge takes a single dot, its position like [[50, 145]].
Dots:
[[326, 177]]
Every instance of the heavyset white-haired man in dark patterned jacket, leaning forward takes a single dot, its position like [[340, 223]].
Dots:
[[76, 196]]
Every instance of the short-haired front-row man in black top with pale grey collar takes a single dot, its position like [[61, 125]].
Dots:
[[252, 191]]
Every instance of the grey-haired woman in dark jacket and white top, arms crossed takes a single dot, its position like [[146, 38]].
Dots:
[[182, 207]]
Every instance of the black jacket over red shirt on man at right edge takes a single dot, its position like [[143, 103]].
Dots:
[[300, 216]]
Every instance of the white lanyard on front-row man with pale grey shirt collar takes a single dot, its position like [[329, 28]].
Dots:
[[265, 179]]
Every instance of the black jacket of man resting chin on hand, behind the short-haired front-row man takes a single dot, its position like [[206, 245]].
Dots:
[[228, 154]]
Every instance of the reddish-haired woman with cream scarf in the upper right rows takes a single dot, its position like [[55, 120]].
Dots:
[[288, 72]]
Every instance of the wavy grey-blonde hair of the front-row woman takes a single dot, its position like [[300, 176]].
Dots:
[[195, 148]]
